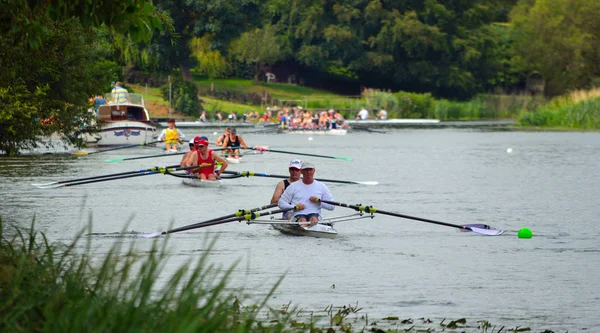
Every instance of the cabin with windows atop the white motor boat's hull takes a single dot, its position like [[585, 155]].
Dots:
[[132, 109]]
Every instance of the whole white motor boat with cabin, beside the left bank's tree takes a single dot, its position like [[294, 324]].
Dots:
[[125, 123]]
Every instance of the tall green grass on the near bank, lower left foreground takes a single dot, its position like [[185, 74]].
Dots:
[[50, 287]]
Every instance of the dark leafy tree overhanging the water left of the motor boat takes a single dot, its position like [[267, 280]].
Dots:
[[54, 58]]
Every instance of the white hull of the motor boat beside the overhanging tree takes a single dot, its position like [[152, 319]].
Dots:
[[126, 132]]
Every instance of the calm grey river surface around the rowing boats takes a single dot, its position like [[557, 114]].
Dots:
[[389, 266]]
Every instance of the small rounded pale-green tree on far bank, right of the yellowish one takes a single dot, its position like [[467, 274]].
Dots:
[[259, 48]]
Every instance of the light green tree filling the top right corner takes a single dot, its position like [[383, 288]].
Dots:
[[559, 39]]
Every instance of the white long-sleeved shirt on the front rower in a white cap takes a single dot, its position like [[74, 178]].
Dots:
[[298, 193]]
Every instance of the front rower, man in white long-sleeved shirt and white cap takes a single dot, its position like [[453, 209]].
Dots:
[[304, 197]]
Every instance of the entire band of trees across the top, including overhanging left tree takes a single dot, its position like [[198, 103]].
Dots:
[[55, 54]]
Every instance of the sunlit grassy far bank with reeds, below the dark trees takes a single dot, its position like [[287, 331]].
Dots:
[[227, 95]]
